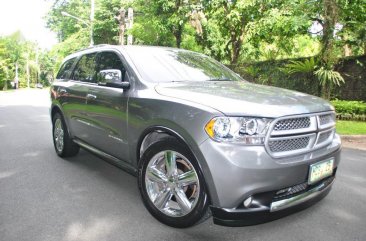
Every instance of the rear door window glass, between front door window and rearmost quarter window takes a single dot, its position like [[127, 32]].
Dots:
[[85, 69]]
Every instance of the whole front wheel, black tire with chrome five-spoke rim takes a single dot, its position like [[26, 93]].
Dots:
[[171, 184]]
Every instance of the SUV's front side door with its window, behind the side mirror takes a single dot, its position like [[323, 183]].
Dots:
[[107, 110]]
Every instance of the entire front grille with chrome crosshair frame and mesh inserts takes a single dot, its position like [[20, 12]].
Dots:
[[299, 134]]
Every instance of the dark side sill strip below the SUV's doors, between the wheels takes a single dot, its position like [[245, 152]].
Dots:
[[111, 159]]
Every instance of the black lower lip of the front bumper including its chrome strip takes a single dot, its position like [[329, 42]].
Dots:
[[276, 210]]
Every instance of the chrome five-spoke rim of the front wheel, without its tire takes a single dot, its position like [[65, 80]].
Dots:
[[172, 183]]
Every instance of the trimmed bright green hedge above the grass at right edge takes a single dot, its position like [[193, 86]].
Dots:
[[350, 110]]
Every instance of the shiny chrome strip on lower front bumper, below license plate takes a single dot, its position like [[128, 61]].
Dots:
[[298, 199]]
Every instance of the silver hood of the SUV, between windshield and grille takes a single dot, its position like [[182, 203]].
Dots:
[[244, 98]]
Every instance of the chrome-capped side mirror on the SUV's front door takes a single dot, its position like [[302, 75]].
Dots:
[[112, 78]]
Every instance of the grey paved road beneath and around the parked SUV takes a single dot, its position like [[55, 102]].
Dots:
[[43, 197]]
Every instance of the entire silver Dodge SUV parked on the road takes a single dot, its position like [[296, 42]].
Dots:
[[201, 140]]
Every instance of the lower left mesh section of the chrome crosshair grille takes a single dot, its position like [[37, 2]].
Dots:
[[289, 144]]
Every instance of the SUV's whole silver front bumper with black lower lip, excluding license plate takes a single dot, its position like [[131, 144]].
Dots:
[[241, 172]]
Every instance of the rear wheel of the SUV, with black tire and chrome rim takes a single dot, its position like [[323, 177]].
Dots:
[[64, 146]]
